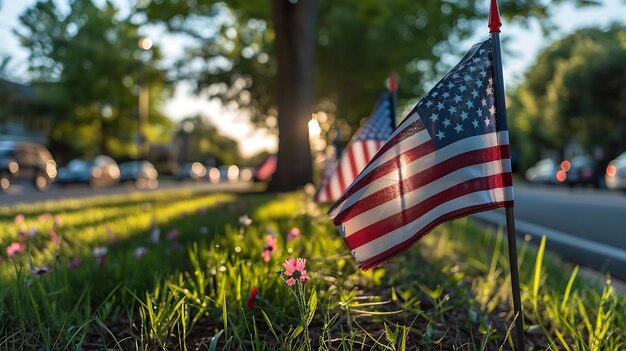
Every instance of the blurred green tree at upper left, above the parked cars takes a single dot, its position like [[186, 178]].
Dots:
[[86, 63]]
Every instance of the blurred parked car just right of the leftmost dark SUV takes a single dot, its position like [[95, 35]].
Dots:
[[97, 172]]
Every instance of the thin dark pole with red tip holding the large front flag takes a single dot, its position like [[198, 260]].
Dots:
[[494, 29]]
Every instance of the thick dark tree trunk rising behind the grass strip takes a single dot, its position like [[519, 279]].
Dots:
[[295, 26]]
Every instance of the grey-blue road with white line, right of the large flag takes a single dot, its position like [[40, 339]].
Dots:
[[585, 226]]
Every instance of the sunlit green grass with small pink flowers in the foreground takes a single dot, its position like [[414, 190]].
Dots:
[[181, 272]]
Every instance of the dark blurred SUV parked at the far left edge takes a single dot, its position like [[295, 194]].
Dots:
[[26, 161]]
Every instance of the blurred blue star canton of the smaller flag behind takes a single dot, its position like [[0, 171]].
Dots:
[[381, 123]]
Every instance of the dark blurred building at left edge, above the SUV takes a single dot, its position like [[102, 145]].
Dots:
[[23, 114]]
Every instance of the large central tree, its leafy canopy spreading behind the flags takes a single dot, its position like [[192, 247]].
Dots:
[[357, 42]]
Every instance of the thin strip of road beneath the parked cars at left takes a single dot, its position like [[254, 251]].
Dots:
[[27, 194]]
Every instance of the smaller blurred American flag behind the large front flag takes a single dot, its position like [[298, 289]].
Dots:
[[360, 150]]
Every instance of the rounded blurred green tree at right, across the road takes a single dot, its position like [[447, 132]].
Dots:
[[575, 90]]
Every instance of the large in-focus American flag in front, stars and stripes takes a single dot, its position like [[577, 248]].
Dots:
[[449, 158]]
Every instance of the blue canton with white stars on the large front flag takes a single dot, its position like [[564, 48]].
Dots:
[[462, 104]]
